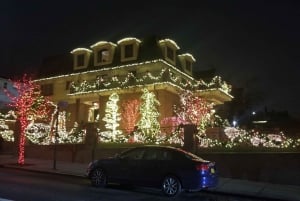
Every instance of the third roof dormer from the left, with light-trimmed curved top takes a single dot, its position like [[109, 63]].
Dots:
[[129, 49]]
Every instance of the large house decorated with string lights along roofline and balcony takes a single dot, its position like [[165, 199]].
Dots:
[[87, 76]]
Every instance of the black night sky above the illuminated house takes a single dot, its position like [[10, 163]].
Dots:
[[252, 44]]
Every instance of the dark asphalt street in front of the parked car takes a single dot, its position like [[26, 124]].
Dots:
[[19, 185]]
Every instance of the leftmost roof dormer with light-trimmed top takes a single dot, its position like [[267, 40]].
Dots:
[[81, 57]]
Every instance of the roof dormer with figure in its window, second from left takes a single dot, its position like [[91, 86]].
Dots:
[[103, 52]]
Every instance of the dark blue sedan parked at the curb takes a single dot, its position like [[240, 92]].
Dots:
[[169, 168]]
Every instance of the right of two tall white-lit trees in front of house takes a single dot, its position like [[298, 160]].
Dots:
[[148, 124]]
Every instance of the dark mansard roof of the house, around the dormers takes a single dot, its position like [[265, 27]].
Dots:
[[149, 49]]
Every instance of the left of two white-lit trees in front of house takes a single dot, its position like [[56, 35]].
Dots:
[[112, 118]]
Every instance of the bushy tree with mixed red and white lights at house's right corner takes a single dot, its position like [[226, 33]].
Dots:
[[194, 110]]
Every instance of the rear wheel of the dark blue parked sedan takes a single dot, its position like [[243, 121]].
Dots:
[[171, 186]]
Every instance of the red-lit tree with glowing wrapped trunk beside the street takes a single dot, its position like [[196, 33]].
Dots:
[[29, 105]]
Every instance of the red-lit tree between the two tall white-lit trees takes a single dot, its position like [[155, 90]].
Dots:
[[130, 114]]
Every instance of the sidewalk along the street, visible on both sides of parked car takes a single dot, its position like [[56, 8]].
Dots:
[[226, 185]]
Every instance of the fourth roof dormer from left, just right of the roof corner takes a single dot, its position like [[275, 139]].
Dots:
[[169, 48]]
